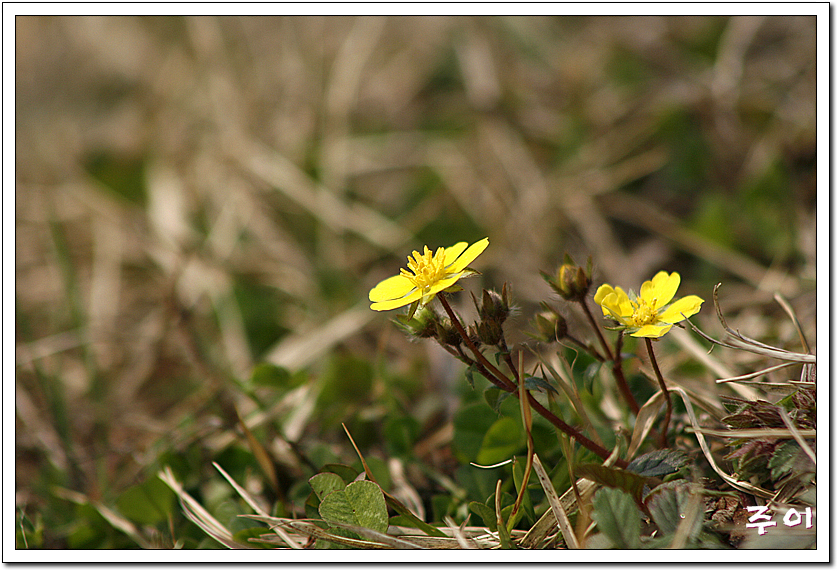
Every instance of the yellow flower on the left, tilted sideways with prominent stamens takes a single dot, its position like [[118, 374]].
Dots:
[[426, 275]]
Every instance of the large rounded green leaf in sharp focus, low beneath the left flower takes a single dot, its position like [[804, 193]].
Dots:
[[360, 503]]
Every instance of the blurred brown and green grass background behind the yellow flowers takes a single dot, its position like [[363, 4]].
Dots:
[[199, 196]]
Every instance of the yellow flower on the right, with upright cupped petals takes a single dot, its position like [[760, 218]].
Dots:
[[648, 315]]
